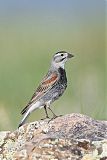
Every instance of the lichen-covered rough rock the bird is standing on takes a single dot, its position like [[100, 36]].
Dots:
[[69, 137]]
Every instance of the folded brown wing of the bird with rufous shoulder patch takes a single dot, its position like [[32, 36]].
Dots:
[[47, 83]]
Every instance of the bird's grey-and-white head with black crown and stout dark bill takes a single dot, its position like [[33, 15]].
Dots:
[[60, 58]]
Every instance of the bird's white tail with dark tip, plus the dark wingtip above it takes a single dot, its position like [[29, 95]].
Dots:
[[27, 110]]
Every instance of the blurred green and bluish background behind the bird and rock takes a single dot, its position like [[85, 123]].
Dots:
[[30, 33]]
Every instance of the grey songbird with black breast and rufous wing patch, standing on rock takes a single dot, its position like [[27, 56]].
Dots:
[[51, 87]]
